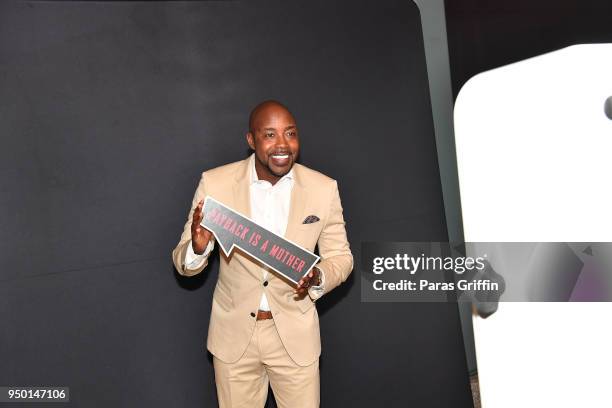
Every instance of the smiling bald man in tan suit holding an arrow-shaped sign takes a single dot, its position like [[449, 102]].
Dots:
[[263, 330]]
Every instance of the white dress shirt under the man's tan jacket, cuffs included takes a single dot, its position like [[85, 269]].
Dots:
[[270, 206]]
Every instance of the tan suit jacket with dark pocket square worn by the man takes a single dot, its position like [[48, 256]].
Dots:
[[240, 285]]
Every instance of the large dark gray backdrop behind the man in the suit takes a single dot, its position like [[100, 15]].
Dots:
[[108, 114]]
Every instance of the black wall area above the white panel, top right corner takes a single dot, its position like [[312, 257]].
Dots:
[[484, 34]]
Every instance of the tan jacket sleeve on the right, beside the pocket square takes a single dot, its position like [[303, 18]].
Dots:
[[336, 257]]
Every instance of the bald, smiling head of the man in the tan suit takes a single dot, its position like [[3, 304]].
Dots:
[[274, 137]]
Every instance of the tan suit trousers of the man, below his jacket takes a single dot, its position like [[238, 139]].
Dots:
[[245, 382]]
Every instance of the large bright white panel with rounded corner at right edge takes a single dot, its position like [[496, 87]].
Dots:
[[534, 154]]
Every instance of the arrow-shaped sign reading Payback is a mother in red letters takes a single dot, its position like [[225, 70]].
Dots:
[[232, 229]]
